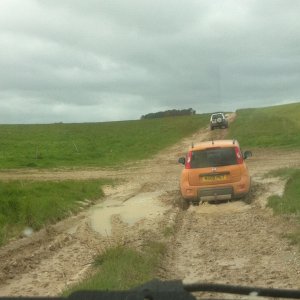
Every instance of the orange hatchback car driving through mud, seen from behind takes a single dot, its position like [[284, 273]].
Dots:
[[215, 170]]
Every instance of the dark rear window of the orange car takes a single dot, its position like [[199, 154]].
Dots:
[[213, 157]]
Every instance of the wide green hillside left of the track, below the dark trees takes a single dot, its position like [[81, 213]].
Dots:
[[91, 144]]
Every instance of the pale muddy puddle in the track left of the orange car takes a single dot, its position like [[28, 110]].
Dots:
[[142, 206]]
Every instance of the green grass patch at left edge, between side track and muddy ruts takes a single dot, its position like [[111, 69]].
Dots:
[[34, 204]]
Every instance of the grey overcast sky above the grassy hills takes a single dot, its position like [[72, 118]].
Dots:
[[95, 60]]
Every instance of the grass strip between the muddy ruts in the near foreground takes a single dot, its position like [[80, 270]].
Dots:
[[122, 268]]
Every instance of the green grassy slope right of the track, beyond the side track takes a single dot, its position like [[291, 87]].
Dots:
[[276, 126]]
